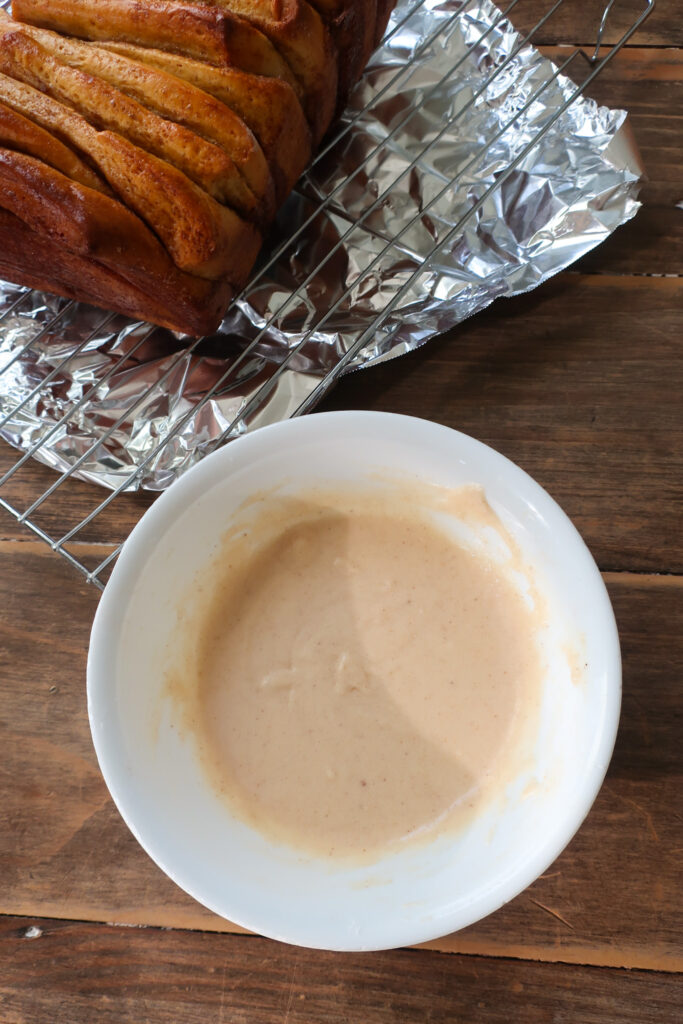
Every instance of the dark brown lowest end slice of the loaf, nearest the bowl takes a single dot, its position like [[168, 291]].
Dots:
[[62, 237]]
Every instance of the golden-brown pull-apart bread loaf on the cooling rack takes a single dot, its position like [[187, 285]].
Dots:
[[146, 145]]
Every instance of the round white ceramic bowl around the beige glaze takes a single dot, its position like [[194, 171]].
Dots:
[[153, 773]]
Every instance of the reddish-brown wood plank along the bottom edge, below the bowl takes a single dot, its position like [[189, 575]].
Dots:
[[79, 973]]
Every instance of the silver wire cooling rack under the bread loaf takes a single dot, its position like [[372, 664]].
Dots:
[[56, 514]]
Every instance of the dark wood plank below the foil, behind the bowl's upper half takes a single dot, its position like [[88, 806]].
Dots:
[[579, 382]]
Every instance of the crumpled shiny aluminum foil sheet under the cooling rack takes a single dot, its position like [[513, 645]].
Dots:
[[408, 181]]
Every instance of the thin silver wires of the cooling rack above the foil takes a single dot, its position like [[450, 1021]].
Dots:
[[42, 514]]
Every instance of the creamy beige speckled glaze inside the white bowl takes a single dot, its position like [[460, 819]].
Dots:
[[357, 677]]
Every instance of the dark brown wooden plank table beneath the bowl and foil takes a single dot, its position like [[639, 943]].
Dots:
[[581, 385]]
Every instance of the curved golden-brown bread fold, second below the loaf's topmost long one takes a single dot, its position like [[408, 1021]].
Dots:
[[268, 106]]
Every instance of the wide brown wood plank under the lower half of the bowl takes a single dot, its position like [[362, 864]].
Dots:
[[612, 899]]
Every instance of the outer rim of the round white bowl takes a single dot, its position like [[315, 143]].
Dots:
[[109, 618]]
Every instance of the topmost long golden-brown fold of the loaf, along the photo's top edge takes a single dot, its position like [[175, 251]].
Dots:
[[202, 32]]
